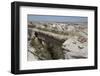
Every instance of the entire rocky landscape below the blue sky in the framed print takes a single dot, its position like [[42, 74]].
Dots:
[[51, 41]]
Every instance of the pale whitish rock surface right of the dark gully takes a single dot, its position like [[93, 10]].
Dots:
[[75, 49]]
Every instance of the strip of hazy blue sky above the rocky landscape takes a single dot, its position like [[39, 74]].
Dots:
[[57, 18]]
